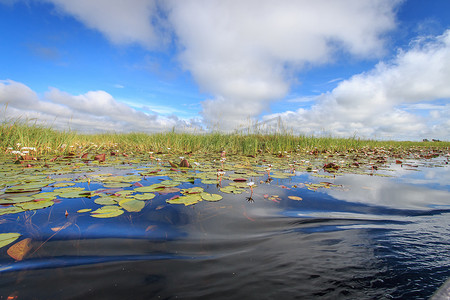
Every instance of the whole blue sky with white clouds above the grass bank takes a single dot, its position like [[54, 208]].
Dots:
[[377, 69]]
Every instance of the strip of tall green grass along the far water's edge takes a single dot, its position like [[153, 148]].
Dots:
[[15, 136]]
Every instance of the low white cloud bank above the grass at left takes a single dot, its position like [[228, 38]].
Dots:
[[90, 112]]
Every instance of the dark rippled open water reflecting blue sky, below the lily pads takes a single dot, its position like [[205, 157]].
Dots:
[[369, 237]]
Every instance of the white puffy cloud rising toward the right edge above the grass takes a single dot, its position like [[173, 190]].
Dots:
[[379, 103]]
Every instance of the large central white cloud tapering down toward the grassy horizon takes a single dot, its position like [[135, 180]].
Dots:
[[245, 52]]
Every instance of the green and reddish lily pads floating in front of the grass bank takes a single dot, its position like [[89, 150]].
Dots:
[[42, 182]]
